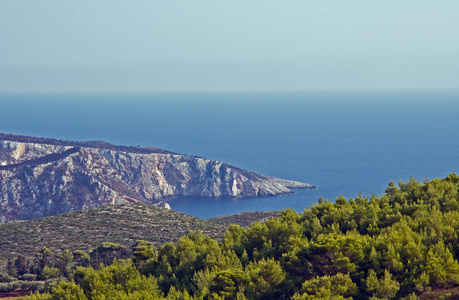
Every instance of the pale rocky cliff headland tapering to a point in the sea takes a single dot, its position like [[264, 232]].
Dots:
[[41, 179]]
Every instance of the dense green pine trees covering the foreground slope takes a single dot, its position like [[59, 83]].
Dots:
[[403, 244]]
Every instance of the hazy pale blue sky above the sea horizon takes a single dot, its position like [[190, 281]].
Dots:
[[230, 45]]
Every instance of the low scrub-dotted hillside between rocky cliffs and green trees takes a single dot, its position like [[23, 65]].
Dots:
[[89, 228]]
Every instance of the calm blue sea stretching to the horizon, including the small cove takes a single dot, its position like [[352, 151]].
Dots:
[[345, 142]]
